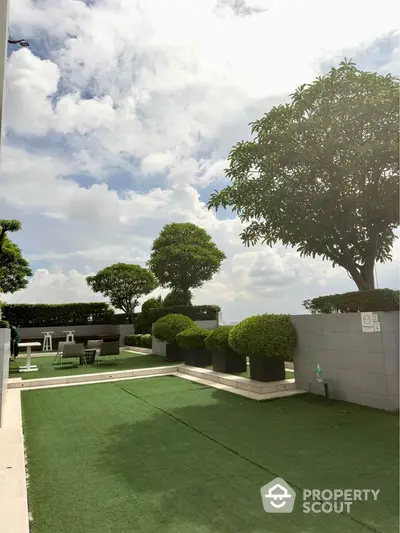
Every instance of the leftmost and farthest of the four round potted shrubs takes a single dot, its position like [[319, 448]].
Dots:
[[167, 328]]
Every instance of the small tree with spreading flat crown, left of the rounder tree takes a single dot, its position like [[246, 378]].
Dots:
[[123, 284]]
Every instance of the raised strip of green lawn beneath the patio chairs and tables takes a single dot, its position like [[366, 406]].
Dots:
[[46, 369]]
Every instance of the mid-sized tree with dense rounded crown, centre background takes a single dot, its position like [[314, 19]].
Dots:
[[183, 257]]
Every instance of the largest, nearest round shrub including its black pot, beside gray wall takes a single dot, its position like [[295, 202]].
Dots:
[[268, 340]]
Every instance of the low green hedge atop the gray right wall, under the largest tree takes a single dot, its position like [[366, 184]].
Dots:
[[355, 302]]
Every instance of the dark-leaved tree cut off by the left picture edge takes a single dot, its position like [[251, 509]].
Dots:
[[14, 269]]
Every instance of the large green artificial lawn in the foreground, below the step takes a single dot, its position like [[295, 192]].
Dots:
[[167, 455]]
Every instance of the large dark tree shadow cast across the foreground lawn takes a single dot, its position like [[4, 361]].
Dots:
[[197, 462]]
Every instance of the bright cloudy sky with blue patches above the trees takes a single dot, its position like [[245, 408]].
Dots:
[[120, 117]]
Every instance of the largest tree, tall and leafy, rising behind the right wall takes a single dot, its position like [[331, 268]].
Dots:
[[322, 173]]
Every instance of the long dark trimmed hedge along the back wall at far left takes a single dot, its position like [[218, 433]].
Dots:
[[75, 314]]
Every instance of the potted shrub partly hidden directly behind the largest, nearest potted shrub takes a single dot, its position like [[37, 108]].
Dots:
[[224, 359]]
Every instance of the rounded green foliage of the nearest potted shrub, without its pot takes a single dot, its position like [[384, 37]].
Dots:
[[264, 336]]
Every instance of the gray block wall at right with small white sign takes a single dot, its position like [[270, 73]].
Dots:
[[360, 367]]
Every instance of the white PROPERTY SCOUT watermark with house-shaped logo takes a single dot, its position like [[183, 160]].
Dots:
[[279, 497]]
